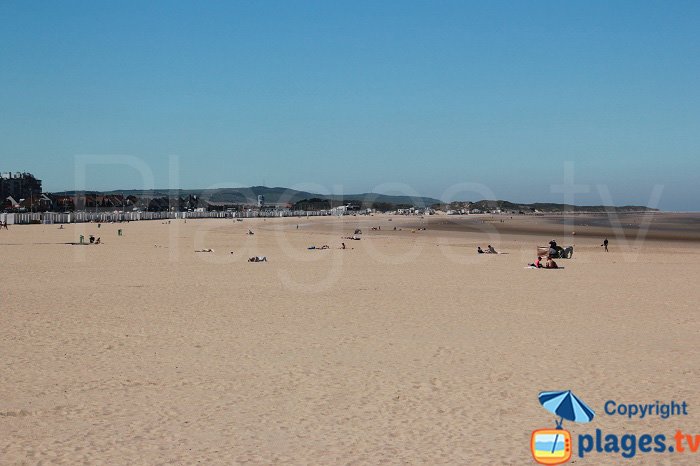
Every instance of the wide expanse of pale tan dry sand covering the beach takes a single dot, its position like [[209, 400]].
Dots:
[[407, 349]]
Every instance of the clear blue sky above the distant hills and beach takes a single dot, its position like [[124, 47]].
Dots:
[[358, 94]]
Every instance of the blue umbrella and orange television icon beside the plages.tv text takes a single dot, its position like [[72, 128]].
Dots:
[[553, 446]]
